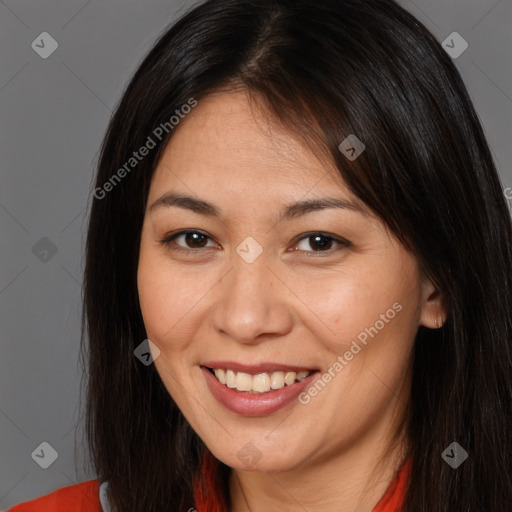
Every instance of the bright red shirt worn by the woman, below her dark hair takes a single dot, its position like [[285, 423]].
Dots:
[[84, 497]]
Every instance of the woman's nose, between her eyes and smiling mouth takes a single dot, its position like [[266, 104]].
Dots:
[[252, 303]]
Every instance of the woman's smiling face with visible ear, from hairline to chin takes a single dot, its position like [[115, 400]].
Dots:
[[267, 294]]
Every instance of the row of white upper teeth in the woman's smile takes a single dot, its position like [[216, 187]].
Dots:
[[260, 383]]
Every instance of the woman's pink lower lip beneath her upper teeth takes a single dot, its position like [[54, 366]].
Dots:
[[251, 404]]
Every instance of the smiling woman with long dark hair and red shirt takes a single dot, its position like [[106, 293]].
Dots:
[[298, 273]]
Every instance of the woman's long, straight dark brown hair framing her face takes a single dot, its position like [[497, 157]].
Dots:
[[324, 70]]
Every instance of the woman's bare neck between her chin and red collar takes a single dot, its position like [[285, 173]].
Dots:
[[353, 481]]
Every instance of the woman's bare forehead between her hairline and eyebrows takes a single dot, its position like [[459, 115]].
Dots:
[[229, 144]]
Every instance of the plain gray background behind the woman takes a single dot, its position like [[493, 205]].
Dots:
[[53, 114]]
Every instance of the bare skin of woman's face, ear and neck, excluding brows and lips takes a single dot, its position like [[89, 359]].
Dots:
[[296, 304]]
